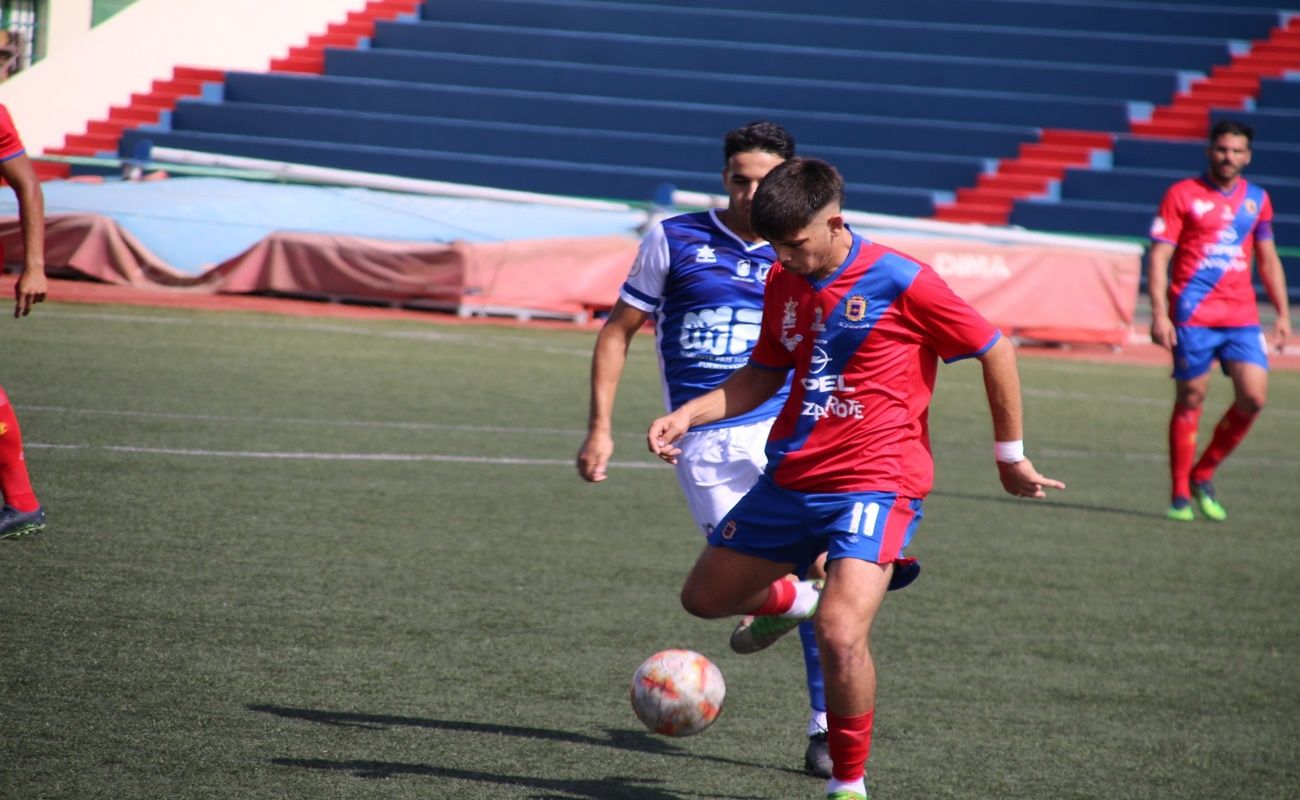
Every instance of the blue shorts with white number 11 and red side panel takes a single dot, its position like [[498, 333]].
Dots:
[[795, 527]]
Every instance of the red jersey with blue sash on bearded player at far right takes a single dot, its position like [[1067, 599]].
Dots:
[[1214, 233]]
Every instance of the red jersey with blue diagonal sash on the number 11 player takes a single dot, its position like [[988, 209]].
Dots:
[[864, 345]]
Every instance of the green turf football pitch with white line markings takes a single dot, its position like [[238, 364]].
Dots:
[[301, 559]]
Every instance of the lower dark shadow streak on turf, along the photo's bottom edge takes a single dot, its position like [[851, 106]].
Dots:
[[556, 789]]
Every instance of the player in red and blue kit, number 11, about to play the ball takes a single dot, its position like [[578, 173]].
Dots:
[[863, 328]]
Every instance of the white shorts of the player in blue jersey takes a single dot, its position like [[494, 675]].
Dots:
[[718, 466]]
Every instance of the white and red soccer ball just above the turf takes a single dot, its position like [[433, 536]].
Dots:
[[678, 693]]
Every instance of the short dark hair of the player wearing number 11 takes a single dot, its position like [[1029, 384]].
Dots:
[[792, 194]]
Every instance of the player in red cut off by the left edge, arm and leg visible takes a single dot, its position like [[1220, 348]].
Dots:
[[21, 512]]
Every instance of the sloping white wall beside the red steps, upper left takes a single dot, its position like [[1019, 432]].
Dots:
[[86, 76]]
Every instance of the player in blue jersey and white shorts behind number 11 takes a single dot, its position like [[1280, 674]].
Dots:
[[701, 278]]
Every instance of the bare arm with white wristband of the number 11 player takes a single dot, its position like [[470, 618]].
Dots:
[[1003, 387]]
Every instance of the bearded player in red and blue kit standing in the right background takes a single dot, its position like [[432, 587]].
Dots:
[[1210, 227]]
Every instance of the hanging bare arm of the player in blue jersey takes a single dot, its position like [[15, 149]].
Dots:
[[608, 362]]
